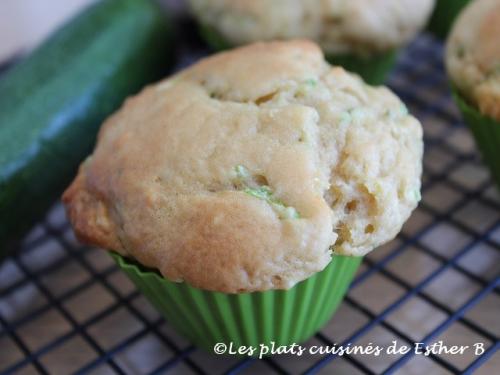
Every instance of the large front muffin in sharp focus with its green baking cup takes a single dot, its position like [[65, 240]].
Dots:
[[240, 194]]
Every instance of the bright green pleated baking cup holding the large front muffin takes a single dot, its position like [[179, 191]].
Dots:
[[281, 316]]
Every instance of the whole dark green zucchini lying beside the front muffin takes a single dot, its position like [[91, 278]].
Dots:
[[53, 102]]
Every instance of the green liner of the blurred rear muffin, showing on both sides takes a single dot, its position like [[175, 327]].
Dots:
[[373, 69]]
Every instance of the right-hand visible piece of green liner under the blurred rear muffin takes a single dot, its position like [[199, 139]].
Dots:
[[373, 69]]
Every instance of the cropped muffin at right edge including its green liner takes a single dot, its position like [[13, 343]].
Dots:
[[473, 65]]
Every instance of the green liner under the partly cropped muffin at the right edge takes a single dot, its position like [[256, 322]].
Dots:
[[486, 132]]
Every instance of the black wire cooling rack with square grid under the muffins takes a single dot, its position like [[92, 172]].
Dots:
[[65, 308]]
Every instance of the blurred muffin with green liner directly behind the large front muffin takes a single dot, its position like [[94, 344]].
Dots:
[[362, 36]]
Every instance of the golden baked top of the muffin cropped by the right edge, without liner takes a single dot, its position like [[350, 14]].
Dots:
[[473, 55]]
